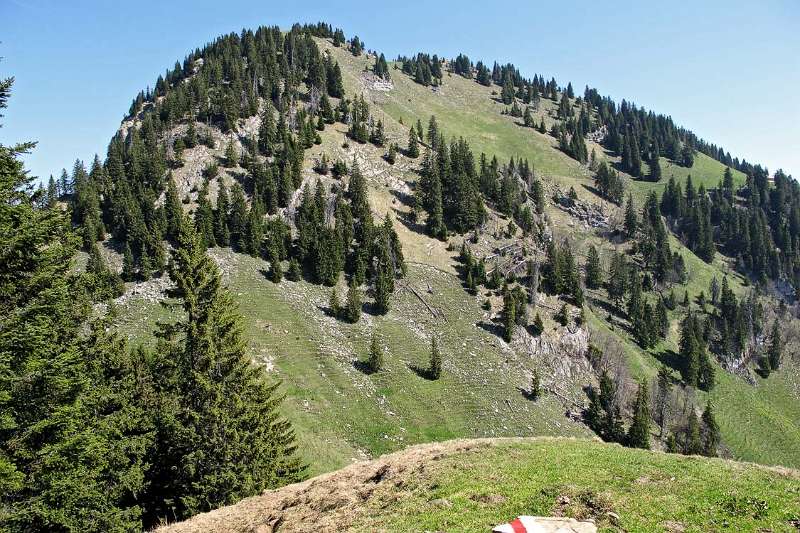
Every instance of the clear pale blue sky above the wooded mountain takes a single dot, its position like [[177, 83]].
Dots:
[[728, 70]]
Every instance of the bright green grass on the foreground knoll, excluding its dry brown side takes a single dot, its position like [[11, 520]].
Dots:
[[649, 491]]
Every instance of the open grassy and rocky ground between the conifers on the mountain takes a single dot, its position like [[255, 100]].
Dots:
[[342, 413]]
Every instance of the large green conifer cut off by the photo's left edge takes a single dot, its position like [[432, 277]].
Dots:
[[67, 459]]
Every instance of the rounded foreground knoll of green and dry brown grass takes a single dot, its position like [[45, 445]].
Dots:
[[473, 485]]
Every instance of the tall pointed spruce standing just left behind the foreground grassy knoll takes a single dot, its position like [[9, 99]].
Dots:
[[219, 437]]
